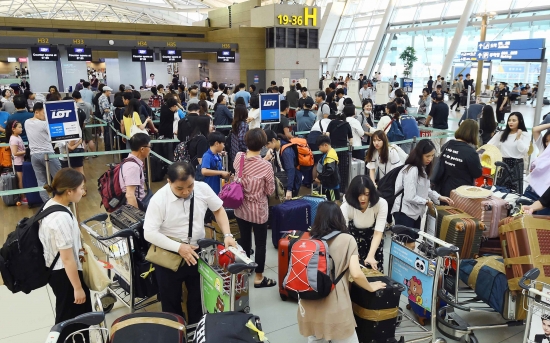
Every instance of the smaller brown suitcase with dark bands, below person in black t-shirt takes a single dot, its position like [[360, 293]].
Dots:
[[460, 229]]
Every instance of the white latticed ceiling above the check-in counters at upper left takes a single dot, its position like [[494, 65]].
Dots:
[[173, 12]]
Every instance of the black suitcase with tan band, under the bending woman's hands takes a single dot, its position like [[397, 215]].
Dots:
[[376, 313]]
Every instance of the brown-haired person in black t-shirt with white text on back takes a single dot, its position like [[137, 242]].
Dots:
[[462, 165]]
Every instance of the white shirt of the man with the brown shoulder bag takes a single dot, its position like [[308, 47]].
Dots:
[[168, 215]]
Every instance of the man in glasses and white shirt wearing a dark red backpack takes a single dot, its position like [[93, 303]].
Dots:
[[131, 177]]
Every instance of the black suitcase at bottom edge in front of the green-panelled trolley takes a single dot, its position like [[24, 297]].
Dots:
[[228, 327]]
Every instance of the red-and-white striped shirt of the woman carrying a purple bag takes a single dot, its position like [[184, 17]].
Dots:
[[258, 183]]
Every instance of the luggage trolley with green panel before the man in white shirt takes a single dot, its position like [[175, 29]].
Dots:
[[224, 288]]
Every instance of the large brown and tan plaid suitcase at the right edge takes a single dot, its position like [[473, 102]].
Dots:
[[525, 246]]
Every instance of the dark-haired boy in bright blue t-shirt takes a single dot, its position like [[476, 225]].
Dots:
[[211, 164]]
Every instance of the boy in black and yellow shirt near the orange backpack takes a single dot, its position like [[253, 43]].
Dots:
[[327, 169]]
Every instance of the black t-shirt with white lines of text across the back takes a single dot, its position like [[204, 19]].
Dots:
[[462, 166]]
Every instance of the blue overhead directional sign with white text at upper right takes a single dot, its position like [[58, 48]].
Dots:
[[511, 50]]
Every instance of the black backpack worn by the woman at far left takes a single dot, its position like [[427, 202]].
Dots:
[[22, 263]]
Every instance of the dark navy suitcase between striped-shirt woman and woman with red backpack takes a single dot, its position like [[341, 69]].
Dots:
[[294, 212]]
